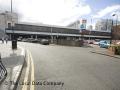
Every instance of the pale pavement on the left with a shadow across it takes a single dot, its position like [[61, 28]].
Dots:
[[13, 62]]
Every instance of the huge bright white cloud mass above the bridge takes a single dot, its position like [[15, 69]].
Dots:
[[56, 12]]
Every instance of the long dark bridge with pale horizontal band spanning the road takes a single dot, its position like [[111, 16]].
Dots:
[[39, 31]]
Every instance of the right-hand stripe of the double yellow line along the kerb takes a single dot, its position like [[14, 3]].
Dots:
[[32, 72]]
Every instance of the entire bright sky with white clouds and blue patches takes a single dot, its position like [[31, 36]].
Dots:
[[62, 12]]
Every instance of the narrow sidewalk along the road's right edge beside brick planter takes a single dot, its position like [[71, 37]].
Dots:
[[103, 51]]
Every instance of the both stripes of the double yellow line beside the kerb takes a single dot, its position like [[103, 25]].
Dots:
[[30, 67]]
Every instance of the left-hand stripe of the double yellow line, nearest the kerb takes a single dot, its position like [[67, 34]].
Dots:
[[26, 73]]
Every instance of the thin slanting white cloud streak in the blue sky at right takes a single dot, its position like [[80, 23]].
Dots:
[[106, 11]]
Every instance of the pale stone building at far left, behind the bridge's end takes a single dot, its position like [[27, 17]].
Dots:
[[7, 19]]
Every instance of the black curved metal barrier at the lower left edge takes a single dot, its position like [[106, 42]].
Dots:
[[3, 71]]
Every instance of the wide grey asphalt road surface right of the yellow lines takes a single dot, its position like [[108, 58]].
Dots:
[[73, 68]]
